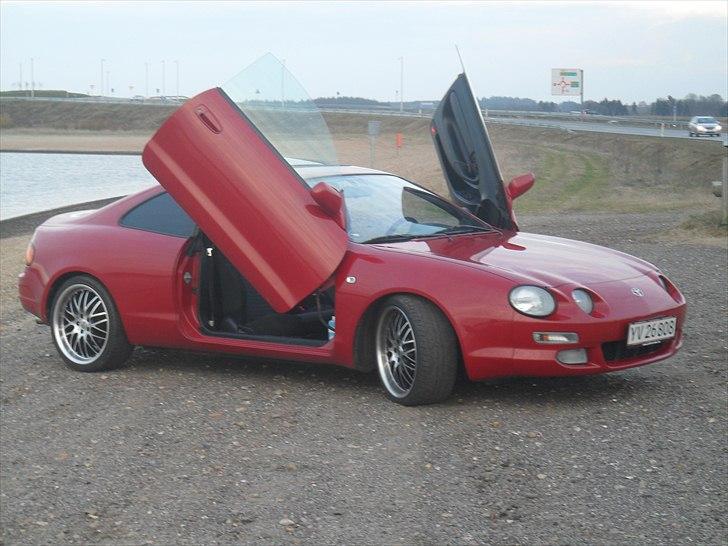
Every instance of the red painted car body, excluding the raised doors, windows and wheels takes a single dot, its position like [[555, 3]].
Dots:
[[467, 276]]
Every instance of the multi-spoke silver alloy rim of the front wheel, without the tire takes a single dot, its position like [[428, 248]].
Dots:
[[396, 351]]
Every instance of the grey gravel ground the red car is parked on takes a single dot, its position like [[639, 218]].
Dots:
[[199, 449]]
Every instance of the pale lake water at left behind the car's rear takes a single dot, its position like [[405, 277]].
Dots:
[[32, 182]]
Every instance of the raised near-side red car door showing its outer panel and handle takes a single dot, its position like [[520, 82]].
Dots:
[[246, 198]]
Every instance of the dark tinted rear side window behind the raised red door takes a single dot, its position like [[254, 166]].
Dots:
[[160, 214]]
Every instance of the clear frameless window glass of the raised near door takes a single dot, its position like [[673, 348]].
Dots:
[[279, 107]]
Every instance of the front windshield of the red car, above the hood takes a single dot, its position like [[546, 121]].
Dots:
[[382, 208]]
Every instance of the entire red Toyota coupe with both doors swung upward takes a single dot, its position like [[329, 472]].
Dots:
[[243, 251]]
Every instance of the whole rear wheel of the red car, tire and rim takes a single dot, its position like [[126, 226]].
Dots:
[[86, 327]]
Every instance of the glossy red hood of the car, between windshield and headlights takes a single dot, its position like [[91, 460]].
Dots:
[[538, 259]]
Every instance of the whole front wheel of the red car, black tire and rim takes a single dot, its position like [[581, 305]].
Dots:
[[416, 351]]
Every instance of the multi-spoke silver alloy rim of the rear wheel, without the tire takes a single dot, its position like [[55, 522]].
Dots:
[[80, 324]]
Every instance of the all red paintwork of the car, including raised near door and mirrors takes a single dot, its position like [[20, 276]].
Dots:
[[263, 217]]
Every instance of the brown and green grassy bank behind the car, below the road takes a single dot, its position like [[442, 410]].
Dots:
[[575, 171]]
